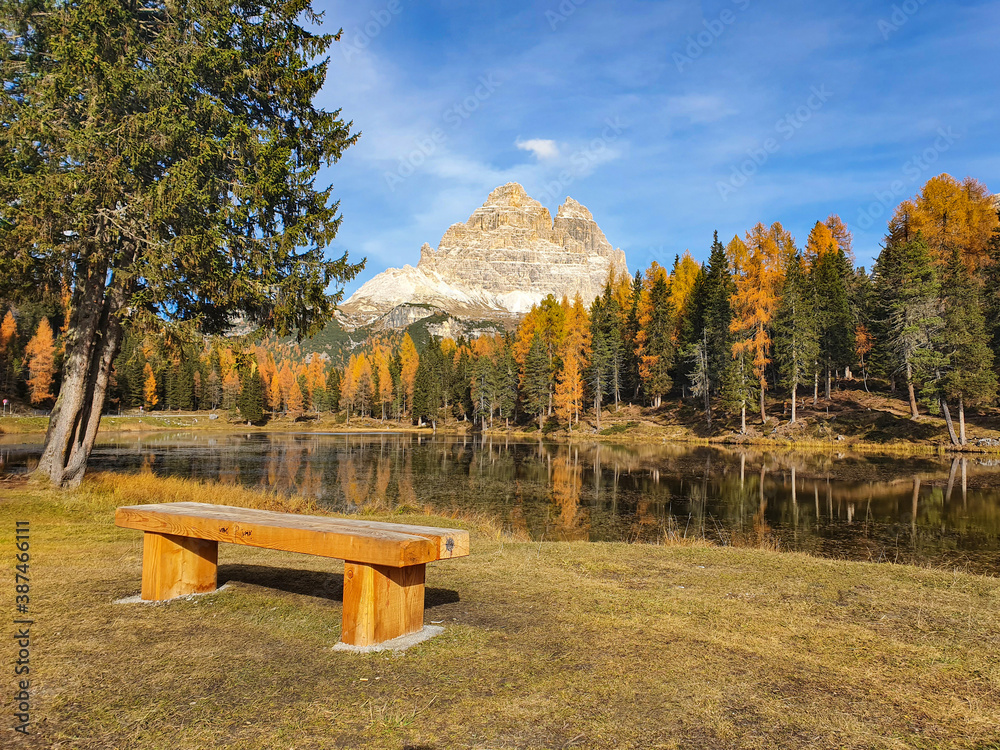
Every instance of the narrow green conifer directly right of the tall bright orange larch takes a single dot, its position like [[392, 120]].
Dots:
[[796, 339]]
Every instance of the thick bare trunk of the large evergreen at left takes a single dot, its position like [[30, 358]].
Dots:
[[73, 424]]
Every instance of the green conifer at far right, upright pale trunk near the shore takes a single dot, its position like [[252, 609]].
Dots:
[[970, 379]]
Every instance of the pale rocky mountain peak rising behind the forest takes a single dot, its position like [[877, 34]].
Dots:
[[508, 256]]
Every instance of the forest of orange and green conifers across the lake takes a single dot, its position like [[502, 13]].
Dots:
[[761, 316]]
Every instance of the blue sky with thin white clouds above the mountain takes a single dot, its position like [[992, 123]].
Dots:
[[668, 119]]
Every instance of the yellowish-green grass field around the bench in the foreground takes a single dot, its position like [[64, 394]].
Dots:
[[546, 645]]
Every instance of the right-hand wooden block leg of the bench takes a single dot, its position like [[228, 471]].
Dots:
[[381, 603]]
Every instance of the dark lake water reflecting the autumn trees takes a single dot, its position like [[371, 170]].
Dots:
[[928, 510]]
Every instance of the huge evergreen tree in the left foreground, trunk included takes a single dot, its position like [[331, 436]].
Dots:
[[180, 183]]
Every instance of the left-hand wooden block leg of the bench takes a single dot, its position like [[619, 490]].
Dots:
[[177, 566]]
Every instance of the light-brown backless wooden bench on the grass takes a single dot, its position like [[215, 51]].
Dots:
[[383, 569]]
